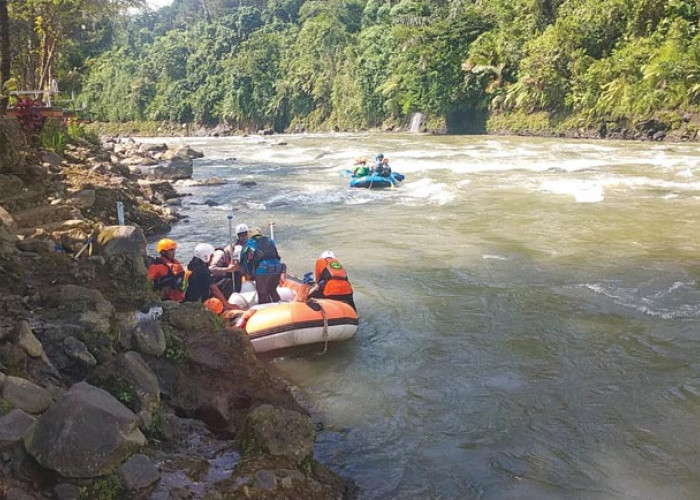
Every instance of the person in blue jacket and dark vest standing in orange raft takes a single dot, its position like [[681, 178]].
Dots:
[[261, 262]]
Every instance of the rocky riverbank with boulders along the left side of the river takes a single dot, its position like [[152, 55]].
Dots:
[[106, 392]]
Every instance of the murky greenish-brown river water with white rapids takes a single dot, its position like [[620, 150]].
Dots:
[[529, 308]]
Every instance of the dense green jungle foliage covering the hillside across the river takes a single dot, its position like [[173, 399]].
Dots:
[[352, 64]]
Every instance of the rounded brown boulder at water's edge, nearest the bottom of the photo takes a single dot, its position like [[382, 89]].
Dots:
[[280, 432]]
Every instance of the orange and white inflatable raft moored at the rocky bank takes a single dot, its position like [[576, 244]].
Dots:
[[288, 324]]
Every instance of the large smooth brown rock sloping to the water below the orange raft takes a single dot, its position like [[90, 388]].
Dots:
[[214, 375]]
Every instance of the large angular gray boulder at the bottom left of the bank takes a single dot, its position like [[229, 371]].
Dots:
[[87, 433]]
